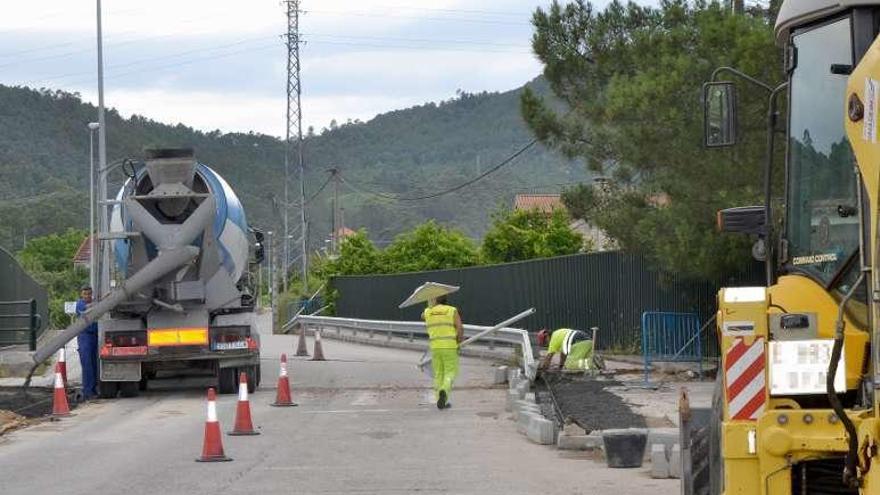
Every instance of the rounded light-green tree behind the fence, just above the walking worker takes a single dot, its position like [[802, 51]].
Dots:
[[430, 246]]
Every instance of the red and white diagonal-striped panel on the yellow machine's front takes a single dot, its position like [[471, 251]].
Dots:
[[746, 384]]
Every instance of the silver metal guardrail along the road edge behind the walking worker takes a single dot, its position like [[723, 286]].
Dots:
[[412, 330]]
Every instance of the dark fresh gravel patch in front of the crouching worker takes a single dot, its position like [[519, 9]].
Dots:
[[587, 401]]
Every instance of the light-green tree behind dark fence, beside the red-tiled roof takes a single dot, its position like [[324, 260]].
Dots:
[[524, 235]]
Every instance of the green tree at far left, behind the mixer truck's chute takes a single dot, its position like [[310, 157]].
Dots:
[[49, 259]]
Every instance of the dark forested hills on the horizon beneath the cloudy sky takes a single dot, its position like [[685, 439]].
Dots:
[[44, 159]]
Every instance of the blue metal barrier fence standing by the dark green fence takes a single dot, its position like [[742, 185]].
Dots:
[[671, 337]]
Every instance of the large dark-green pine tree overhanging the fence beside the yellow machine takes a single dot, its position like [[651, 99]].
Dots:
[[629, 79]]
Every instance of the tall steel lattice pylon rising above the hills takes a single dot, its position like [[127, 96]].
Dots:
[[294, 118]]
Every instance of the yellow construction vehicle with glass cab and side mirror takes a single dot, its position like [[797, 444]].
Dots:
[[797, 408]]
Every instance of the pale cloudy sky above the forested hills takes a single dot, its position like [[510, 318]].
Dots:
[[221, 64]]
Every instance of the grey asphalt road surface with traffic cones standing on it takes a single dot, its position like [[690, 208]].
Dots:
[[365, 425]]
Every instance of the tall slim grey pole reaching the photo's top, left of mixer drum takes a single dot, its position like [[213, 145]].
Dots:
[[102, 166]]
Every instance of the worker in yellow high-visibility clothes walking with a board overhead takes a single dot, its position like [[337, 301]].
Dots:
[[445, 332]]
